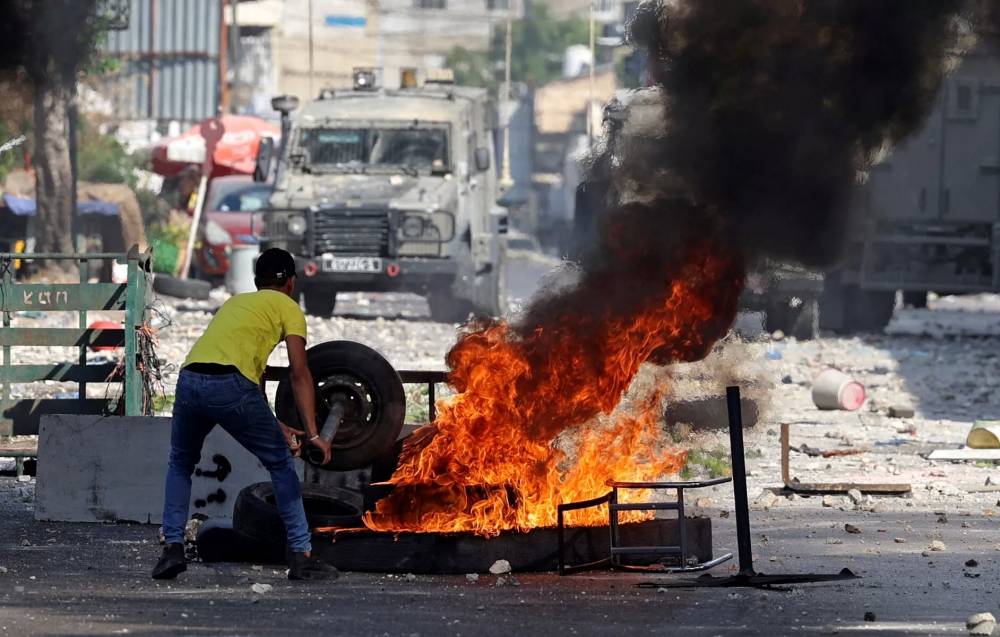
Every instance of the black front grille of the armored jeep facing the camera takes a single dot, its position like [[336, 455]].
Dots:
[[351, 232]]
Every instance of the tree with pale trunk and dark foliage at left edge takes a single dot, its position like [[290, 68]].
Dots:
[[53, 41]]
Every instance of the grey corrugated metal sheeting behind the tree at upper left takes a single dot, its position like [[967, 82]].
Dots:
[[168, 61]]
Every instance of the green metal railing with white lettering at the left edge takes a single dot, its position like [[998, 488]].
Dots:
[[21, 417]]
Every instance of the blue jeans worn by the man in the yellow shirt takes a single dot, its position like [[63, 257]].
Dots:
[[237, 404]]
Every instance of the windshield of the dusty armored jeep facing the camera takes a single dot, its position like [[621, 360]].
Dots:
[[407, 149]]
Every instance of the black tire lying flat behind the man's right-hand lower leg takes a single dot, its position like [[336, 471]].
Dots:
[[255, 513]]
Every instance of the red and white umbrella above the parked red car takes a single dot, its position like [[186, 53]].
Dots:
[[228, 144]]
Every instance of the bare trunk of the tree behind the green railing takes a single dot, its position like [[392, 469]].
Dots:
[[53, 172]]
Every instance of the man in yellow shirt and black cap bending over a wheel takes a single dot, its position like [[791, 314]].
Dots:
[[220, 384]]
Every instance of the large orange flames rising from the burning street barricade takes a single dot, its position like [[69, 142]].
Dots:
[[494, 459]]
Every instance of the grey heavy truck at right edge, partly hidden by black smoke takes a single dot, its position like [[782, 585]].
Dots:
[[929, 214]]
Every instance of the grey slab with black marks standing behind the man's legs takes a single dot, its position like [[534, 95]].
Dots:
[[101, 469]]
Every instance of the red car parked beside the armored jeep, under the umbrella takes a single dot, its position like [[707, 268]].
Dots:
[[230, 204]]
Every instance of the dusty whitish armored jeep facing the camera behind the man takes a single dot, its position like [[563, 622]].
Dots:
[[390, 190]]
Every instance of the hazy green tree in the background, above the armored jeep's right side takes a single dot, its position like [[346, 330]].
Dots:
[[539, 43]]
